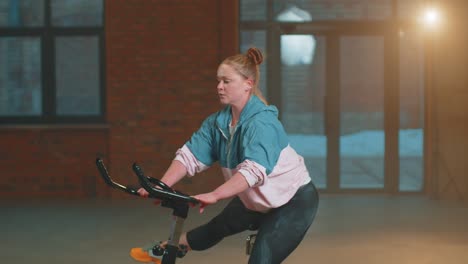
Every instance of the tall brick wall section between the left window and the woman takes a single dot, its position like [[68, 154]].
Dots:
[[162, 58]]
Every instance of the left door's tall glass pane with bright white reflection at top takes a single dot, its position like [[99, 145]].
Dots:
[[303, 91]]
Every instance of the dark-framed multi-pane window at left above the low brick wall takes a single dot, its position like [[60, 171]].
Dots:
[[51, 57]]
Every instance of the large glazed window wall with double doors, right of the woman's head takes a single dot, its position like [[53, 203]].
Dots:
[[333, 69]]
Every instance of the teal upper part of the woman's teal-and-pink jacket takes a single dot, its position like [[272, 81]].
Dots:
[[258, 136]]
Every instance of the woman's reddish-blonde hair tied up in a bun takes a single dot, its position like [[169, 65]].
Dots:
[[248, 65]]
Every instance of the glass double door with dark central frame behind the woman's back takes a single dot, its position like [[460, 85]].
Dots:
[[332, 104]]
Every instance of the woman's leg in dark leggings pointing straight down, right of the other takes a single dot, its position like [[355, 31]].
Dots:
[[283, 228]]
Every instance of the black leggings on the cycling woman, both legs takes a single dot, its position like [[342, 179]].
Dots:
[[279, 231]]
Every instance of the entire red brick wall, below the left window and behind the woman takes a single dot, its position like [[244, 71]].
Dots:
[[161, 61]]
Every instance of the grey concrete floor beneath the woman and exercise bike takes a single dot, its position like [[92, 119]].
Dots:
[[362, 229]]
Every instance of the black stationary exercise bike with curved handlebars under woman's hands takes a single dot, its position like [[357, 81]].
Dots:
[[170, 198]]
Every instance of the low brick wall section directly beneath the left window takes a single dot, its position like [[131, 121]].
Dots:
[[50, 162]]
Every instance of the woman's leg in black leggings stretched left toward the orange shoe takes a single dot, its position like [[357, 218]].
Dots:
[[233, 219]]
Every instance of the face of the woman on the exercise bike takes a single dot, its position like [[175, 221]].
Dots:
[[233, 88]]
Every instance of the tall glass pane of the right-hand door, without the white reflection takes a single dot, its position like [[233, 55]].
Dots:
[[362, 138]]
